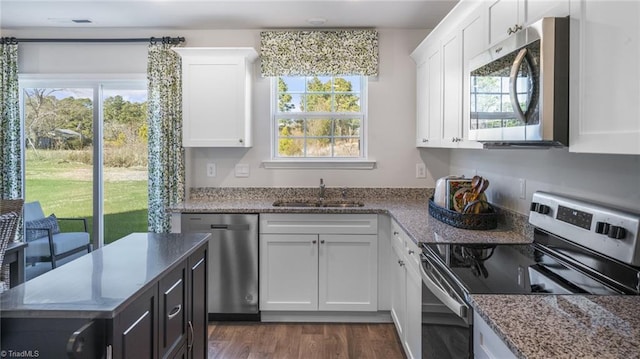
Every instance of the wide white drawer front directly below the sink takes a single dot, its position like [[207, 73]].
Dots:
[[319, 223]]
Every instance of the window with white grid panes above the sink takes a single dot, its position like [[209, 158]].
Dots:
[[319, 117]]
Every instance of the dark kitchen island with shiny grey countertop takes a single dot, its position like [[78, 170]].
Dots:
[[136, 296]]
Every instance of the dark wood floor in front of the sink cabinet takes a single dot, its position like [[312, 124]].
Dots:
[[238, 340]]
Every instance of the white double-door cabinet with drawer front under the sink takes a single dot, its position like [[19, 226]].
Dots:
[[318, 262]]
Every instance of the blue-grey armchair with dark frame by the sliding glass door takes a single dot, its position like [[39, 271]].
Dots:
[[46, 242]]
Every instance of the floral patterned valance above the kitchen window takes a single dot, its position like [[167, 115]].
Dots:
[[326, 52]]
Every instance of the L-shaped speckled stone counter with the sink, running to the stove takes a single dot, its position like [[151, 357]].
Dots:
[[408, 206]]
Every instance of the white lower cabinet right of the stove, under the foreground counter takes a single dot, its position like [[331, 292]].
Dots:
[[486, 343]]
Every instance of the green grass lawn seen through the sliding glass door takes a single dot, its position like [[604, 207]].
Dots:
[[65, 188]]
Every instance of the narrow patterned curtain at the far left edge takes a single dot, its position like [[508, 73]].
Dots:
[[10, 149]]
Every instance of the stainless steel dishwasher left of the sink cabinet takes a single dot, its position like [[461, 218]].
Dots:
[[233, 263]]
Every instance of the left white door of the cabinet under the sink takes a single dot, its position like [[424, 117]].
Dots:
[[288, 272]]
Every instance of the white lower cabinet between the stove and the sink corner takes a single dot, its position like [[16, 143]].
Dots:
[[406, 295]]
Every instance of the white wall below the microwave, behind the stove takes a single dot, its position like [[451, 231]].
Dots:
[[609, 179]]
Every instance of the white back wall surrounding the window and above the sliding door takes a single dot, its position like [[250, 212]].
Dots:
[[391, 99]]
